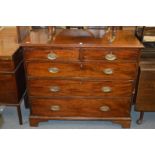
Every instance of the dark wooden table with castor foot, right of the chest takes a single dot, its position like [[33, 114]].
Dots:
[[145, 101]]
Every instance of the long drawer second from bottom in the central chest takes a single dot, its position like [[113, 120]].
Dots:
[[52, 88]]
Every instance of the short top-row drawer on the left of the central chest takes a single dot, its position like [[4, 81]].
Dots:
[[52, 54]]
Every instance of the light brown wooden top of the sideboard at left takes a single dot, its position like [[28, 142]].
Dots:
[[8, 43]]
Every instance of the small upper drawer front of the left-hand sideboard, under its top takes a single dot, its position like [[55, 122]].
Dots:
[[6, 66]]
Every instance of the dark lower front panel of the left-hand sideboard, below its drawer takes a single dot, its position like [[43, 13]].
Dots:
[[8, 90]]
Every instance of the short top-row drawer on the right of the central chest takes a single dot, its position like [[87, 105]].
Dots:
[[110, 54]]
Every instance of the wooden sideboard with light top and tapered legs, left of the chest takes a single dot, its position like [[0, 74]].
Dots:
[[12, 75]]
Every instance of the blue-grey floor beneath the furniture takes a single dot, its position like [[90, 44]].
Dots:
[[10, 121]]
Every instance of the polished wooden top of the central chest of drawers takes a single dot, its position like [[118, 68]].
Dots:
[[81, 38]]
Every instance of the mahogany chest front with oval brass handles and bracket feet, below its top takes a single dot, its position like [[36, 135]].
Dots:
[[80, 83]]
